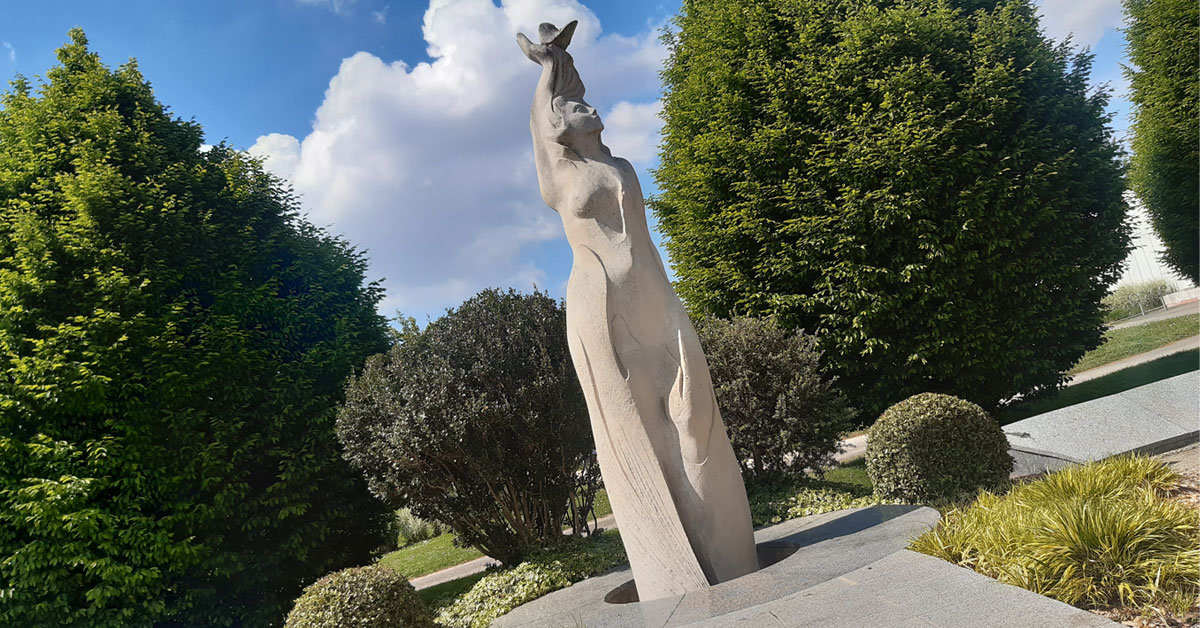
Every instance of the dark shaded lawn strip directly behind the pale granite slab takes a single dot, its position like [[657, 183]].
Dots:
[[1109, 385]]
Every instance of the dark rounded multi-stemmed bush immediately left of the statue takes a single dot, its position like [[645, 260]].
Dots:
[[478, 422]]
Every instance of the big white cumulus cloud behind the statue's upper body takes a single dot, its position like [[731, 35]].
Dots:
[[430, 168]]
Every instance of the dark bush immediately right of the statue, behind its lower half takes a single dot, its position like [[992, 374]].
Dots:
[[782, 412]]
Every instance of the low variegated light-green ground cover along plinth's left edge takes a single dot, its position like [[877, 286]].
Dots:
[[542, 573]]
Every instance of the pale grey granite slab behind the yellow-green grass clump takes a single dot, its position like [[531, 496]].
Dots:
[[1148, 420]]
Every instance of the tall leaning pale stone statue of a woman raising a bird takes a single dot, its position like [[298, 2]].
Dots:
[[665, 457]]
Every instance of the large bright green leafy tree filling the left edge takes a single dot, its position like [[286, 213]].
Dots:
[[175, 342]]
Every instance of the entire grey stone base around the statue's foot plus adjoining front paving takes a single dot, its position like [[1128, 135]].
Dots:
[[844, 570]]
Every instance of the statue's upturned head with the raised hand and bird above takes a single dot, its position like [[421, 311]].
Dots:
[[559, 107]]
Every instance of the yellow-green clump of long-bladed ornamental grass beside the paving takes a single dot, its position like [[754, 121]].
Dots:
[[1097, 536]]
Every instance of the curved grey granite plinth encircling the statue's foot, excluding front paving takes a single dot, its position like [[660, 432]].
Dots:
[[796, 555]]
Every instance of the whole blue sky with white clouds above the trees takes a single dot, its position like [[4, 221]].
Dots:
[[405, 124]]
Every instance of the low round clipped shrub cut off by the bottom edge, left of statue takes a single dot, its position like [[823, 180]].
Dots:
[[363, 597]]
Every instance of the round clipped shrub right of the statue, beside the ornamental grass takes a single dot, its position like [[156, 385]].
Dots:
[[933, 446]]
